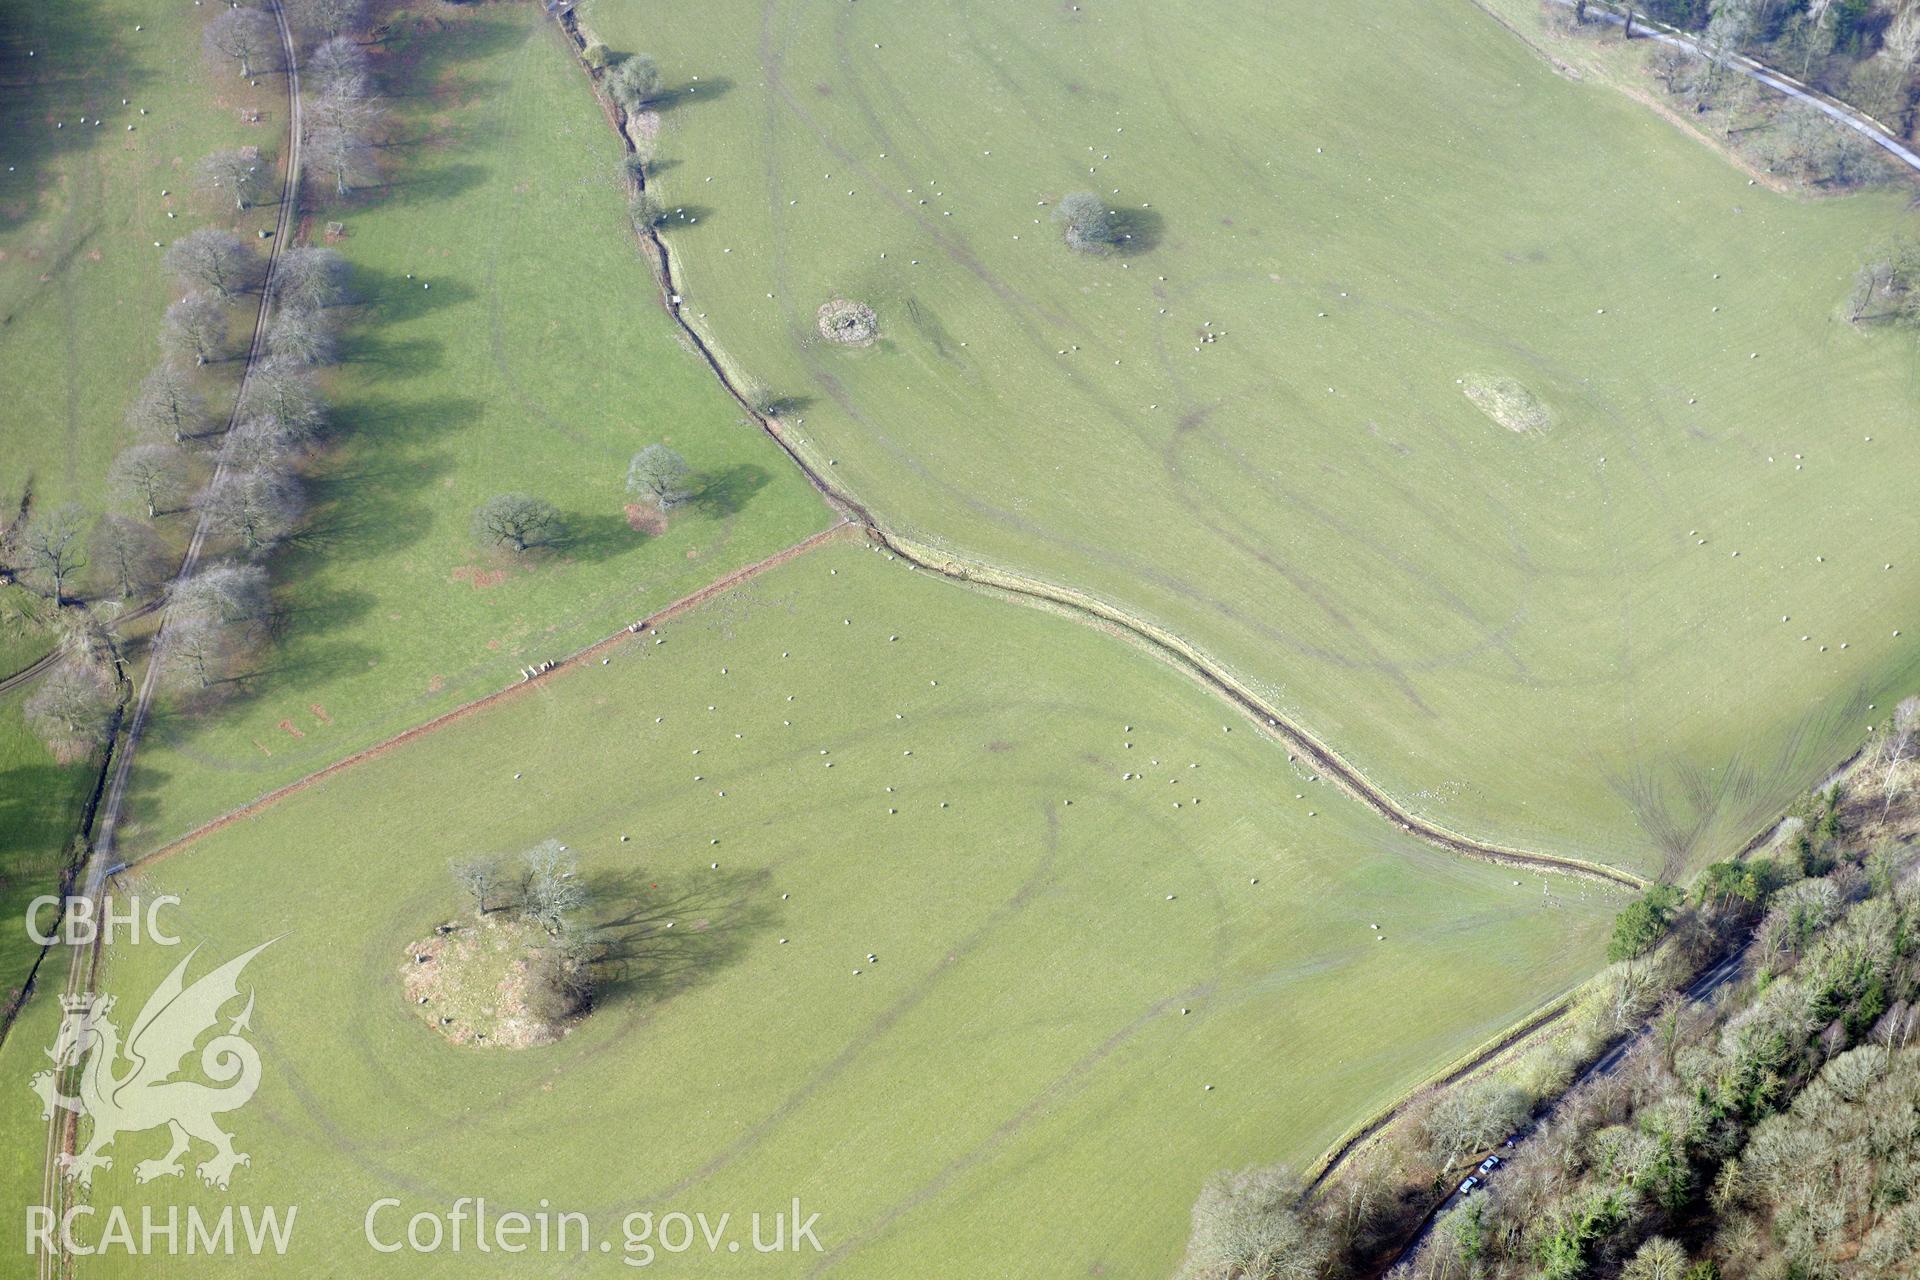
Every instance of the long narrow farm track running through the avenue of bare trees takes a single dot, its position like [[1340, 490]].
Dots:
[[91, 878]]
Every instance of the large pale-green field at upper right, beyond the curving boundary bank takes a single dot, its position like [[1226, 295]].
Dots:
[[1633, 634]]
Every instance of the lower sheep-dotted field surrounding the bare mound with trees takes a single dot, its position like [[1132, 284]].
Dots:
[[848, 759]]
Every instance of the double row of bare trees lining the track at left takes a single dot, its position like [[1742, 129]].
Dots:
[[181, 463]]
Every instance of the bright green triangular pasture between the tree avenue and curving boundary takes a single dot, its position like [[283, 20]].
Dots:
[[510, 337]]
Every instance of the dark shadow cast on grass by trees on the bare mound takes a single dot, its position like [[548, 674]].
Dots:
[[665, 934]]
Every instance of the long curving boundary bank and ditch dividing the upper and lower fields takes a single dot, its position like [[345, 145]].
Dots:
[[1161, 642]]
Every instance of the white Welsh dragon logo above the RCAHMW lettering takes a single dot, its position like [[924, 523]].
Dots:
[[128, 1087]]
